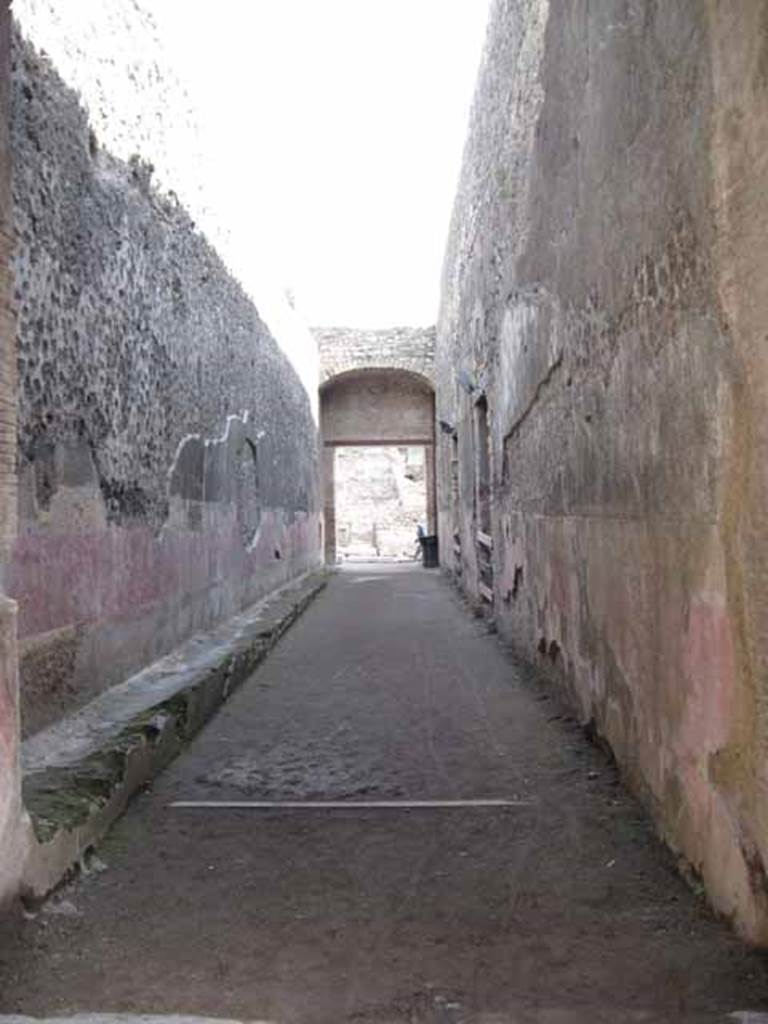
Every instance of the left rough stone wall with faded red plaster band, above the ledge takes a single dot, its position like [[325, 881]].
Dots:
[[168, 457]]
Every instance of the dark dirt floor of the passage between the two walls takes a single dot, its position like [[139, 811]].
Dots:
[[566, 911]]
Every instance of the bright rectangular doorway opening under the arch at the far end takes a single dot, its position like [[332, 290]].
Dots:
[[381, 500]]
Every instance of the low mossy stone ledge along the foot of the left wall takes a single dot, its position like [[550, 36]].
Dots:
[[80, 776]]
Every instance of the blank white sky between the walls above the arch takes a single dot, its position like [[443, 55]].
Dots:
[[338, 127]]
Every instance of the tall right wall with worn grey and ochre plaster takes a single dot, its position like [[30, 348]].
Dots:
[[604, 287]]
